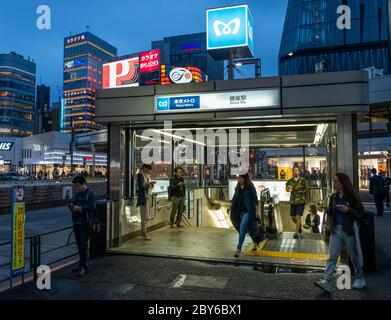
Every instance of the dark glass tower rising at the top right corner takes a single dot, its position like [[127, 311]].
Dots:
[[313, 42]]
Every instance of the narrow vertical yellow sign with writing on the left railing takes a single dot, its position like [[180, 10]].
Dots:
[[18, 237]]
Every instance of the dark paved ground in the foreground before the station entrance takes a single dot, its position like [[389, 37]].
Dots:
[[130, 277]]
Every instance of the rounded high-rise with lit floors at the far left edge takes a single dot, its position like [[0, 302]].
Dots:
[[17, 95]]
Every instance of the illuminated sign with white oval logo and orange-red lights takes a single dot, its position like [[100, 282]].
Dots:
[[180, 75]]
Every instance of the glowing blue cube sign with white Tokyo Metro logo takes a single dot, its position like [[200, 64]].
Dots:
[[229, 28]]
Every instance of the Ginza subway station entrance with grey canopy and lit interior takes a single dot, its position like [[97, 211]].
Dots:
[[298, 123]]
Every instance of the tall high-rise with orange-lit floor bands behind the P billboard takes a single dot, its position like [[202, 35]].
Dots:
[[84, 55]]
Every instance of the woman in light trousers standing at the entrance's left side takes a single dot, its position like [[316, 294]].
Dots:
[[144, 189]]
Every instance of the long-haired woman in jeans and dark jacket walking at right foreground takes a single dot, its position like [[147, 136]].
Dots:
[[344, 212]]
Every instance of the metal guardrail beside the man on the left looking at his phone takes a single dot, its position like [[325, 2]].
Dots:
[[35, 256]]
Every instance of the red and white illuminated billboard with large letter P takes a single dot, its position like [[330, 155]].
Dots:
[[122, 73]]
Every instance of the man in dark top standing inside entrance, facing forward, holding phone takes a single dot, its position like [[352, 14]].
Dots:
[[177, 192]]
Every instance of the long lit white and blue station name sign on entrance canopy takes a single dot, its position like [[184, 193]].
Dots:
[[218, 101]]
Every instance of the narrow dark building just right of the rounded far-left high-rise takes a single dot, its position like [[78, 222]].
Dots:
[[42, 110]]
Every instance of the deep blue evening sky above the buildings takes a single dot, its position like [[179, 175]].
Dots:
[[127, 24]]
